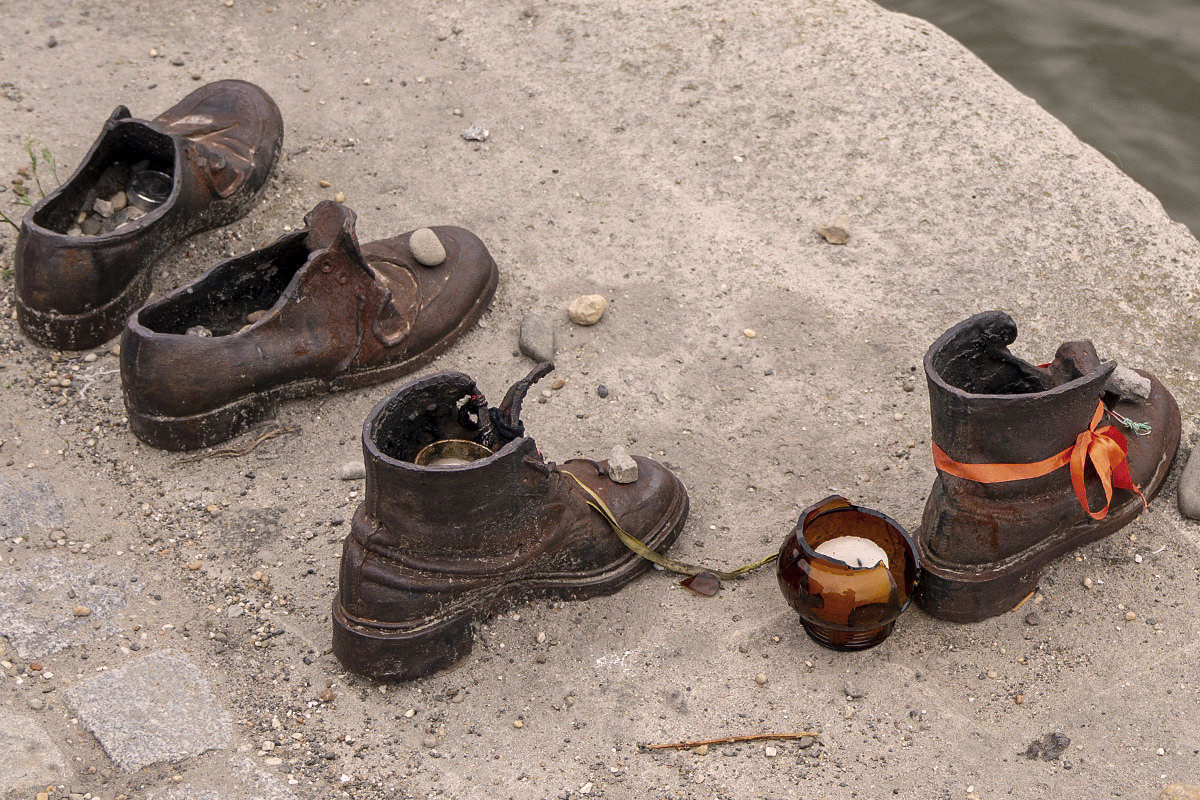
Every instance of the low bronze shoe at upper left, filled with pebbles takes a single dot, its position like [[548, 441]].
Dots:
[[85, 254]]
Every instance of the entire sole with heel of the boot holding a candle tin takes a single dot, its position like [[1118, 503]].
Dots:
[[398, 653]]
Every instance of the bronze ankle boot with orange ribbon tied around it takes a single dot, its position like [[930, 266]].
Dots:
[[1033, 462]]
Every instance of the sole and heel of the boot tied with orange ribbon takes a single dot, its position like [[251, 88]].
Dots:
[[970, 594]]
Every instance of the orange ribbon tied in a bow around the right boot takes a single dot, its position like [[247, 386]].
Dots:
[[1106, 448]]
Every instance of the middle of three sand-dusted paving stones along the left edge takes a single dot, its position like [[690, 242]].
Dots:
[[38, 611]]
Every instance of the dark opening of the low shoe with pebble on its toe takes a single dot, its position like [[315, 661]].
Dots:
[[233, 298]]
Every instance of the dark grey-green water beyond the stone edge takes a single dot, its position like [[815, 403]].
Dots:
[[1124, 75]]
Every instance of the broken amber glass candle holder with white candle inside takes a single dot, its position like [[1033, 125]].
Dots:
[[844, 606]]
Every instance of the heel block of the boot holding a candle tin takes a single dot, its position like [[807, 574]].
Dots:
[[393, 654]]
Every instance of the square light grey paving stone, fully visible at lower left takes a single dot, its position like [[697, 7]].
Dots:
[[157, 709]]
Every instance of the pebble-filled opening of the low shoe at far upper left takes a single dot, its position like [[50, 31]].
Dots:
[[131, 175]]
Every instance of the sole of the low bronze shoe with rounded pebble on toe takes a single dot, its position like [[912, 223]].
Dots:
[[227, 422]]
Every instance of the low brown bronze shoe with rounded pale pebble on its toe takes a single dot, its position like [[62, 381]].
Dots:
[[311, 314]]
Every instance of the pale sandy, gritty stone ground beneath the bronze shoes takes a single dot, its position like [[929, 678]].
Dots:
[[676, 159]]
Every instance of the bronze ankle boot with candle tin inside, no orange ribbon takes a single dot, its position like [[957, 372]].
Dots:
[[439, 544]]
